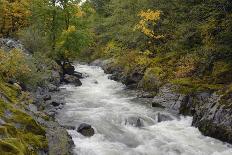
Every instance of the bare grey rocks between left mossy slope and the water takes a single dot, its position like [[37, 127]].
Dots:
[[51, 99]]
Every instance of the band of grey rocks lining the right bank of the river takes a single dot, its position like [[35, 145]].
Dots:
[[211, 111]]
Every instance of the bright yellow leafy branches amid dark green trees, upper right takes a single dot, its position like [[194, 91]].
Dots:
[[147, 17]]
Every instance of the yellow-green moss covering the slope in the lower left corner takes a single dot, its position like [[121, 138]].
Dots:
[[29, 137]]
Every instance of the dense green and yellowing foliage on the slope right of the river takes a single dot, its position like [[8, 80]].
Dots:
[[194, 51]]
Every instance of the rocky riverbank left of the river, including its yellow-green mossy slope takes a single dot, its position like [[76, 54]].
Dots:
[[27, 114]]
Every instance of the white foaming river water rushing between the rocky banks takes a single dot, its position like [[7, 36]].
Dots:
[[111, 110]]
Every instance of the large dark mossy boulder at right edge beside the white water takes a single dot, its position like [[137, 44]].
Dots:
[[212, 115]]
